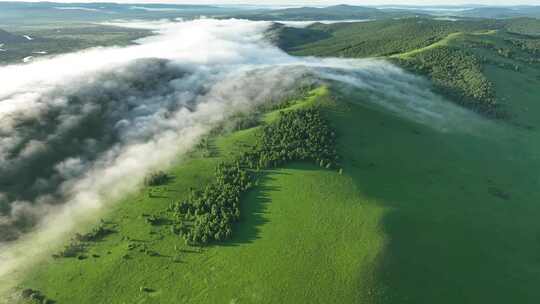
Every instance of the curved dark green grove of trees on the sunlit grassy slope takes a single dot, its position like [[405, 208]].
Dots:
[[208, 214]]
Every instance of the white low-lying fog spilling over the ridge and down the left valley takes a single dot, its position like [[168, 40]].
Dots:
[[80, 130]]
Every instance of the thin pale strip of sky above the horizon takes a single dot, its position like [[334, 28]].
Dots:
[[323, 2]]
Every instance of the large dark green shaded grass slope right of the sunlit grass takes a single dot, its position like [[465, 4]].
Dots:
[[452, 237]]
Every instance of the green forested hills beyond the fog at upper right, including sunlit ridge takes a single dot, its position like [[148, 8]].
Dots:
[[452, 54]]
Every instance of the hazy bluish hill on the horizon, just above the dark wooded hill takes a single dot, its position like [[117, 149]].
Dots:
[[337, 12]]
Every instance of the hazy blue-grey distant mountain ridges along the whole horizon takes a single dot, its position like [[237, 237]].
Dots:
[[25, 13]]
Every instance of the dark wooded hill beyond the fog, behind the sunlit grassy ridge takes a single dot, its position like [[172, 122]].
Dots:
[[373, 39]]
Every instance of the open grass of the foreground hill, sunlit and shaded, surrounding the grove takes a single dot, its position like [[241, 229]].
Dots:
[[418, 216]]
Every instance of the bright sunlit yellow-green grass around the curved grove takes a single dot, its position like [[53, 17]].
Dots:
[[290, 244]]
